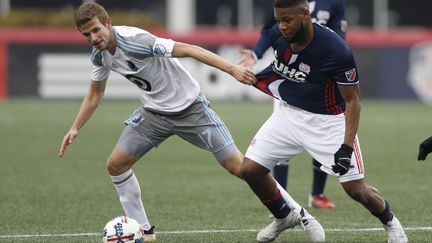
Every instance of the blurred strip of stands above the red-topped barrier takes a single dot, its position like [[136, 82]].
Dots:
[[222, 13]]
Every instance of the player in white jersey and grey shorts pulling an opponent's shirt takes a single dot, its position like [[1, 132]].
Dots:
[[172, 103]]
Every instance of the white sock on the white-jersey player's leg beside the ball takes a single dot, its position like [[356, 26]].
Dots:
[[129, 193]]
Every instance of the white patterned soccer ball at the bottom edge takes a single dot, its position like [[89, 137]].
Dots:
[[123, 230]]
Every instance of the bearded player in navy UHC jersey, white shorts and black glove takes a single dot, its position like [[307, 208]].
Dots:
[[315, 77]]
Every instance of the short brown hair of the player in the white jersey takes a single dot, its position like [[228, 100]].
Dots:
[[89, 11]]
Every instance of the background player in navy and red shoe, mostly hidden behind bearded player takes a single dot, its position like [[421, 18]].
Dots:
[[330, 13]]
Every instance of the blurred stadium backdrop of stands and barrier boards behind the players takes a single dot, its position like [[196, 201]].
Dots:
[[391, 39]]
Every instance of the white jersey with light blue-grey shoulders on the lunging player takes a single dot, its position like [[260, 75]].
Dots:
[[146, 61]]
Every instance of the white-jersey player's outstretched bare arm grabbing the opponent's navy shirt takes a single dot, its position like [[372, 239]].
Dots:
[[242, 74]]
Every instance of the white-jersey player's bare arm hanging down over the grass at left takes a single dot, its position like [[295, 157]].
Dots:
[[88, 106]]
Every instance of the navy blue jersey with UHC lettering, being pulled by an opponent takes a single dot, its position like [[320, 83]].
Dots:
[[309, 79]]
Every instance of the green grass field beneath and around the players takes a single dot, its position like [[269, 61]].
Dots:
[[187, 195]]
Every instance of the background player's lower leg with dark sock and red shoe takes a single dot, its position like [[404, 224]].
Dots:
[[317, 199]]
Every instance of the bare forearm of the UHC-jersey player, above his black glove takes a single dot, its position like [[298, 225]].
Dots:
[[351, 95]]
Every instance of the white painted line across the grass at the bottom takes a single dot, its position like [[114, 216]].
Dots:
[[420, 228]]
